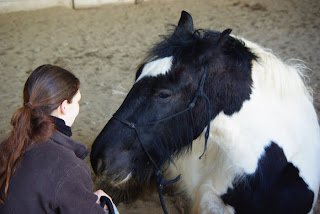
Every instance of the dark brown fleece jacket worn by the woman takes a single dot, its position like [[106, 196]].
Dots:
[[52, 178]]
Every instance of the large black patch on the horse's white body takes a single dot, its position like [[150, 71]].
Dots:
[[274, 188]]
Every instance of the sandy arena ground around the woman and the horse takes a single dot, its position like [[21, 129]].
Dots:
[[103, 47]]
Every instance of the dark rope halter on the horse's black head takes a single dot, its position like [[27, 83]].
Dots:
[[159, 175]]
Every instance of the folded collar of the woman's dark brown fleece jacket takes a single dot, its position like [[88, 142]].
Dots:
[[79, 149]]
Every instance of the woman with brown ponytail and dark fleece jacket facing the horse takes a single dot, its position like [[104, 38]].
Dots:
[[41, 167]]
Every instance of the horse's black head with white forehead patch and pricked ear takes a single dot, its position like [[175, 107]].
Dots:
[[134, 142]]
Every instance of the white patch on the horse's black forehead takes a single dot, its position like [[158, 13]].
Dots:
[[156, 67]]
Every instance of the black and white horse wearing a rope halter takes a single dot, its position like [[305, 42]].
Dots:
[[233, 119]]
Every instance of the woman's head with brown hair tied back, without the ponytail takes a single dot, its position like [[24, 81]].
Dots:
[[53, 90]]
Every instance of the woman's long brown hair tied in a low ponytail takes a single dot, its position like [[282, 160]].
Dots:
[[45, 89]]
